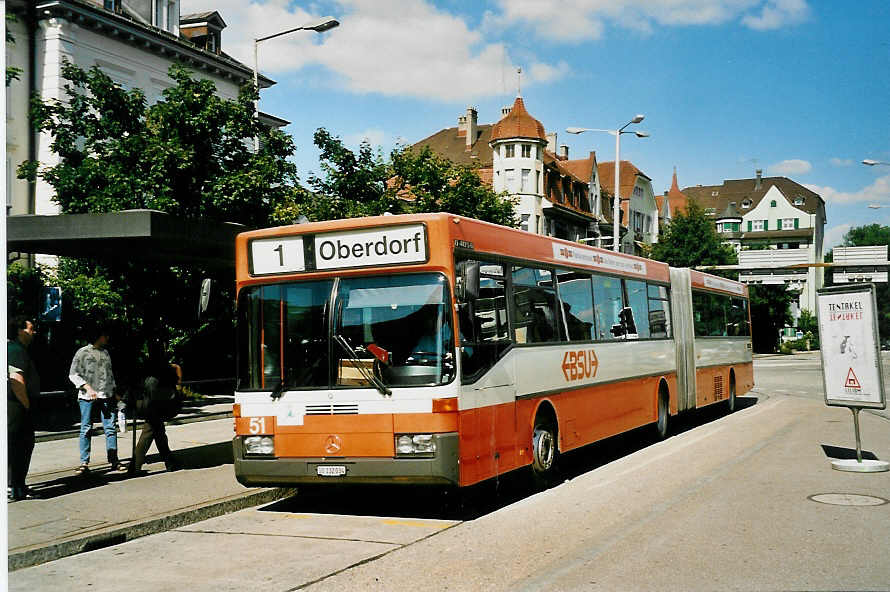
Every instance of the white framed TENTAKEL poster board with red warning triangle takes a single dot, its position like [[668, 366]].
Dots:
[[851, 357]]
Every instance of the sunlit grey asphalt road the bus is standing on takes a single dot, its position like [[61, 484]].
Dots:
[[729, 502]]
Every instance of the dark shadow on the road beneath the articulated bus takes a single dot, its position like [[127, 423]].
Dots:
[[426, 502]]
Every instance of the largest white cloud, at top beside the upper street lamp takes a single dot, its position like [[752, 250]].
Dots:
[[392, 47]]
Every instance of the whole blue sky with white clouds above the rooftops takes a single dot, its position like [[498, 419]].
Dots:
[[799, 88]]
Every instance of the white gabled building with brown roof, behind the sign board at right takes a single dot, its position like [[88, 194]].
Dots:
[[776, 225]]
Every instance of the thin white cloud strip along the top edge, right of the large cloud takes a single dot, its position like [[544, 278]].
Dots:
[[576, 20]]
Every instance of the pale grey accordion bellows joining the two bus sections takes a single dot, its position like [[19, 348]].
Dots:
[[684, 337]]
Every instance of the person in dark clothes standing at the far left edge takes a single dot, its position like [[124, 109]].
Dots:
[[23, 386]]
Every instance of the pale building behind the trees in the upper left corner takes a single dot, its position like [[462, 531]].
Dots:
[[133, 41]]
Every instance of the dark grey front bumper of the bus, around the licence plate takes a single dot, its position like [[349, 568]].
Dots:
[[441, 469]]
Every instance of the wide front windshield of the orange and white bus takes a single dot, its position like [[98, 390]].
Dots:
[[347, 333]]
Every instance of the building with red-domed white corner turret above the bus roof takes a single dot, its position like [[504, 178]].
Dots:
[[554, 195]]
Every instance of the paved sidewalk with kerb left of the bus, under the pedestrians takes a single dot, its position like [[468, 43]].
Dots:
[[81, 513]]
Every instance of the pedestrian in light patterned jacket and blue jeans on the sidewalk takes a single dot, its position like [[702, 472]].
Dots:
[[93, 378]]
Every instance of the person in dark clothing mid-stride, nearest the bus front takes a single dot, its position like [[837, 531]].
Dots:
[[160, 403]]
